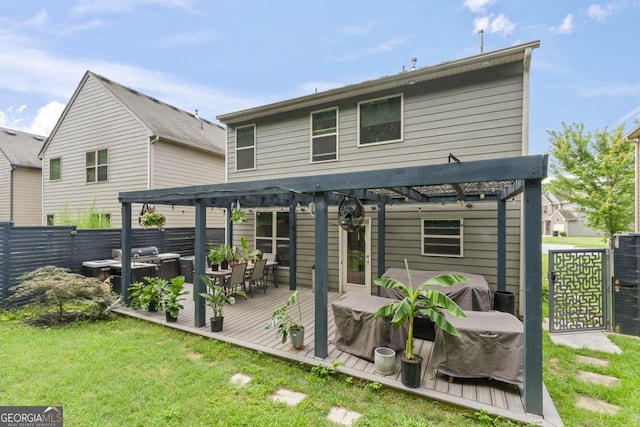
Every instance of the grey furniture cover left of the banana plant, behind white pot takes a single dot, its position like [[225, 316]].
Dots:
[[358, 332]]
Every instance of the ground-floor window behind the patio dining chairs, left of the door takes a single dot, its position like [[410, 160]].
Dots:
[[272, 235]]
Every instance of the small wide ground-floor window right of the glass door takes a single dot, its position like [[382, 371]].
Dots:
[[442, 237]]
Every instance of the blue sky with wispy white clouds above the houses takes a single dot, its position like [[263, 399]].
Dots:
[[219, 57]]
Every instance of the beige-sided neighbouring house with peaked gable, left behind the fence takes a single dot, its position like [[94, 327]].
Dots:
[[111, 138]]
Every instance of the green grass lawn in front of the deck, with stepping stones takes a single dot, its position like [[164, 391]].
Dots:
[[127, 372]]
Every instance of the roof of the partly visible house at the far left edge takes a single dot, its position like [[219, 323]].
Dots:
[[21, 148]]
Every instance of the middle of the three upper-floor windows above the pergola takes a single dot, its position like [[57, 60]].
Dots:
[[324, 135]]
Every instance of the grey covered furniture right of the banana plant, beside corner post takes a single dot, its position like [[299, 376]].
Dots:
[[489, 346]]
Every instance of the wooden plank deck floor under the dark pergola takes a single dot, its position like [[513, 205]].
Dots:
[[244, 326]]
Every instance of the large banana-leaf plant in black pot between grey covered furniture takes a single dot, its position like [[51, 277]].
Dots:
[[425, 301]]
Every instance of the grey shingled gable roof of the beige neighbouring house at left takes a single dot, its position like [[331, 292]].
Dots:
[[164, 121]]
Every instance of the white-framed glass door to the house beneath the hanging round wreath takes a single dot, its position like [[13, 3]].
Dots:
[[355, 259]]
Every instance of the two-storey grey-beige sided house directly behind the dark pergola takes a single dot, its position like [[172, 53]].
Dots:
[[470, 109]]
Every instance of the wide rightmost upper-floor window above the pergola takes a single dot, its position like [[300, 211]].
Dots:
[[380, 120]]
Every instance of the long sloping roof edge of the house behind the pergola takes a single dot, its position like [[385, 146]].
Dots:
[[405, 78]]
